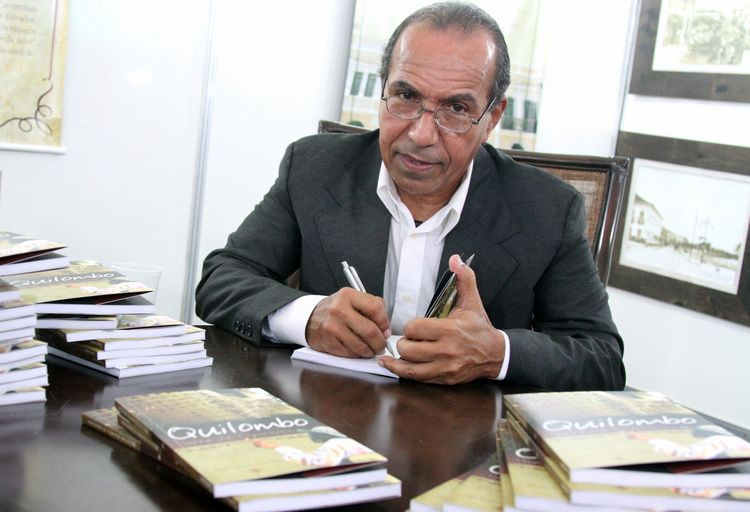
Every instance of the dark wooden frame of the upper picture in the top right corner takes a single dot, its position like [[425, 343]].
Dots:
[[694, 85]]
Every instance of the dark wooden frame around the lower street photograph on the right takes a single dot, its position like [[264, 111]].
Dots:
[[716, 160]]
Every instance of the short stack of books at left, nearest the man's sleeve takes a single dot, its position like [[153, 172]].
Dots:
[[137, 345]]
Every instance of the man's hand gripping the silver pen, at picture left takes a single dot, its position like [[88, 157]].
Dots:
[[349, 324]]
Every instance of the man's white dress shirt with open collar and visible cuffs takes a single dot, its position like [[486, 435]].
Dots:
[[411, 267]]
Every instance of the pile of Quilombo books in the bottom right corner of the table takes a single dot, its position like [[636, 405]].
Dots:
[[606, 452]]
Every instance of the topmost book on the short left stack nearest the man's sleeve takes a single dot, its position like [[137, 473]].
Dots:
[[128, 326]]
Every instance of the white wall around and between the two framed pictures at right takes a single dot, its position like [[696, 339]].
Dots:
[[699, 360]]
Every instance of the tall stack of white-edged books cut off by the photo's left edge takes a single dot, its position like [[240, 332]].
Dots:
[[23, 373]]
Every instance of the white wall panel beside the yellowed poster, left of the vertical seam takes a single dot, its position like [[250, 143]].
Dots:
[[123, 190]]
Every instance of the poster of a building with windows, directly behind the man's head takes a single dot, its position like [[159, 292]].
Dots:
[[519, 20]]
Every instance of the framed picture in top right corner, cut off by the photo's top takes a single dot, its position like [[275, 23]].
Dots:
[[698, 49]]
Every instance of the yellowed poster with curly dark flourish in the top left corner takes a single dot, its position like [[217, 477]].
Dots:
[[33, 40]]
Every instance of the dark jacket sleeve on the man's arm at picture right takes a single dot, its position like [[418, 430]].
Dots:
[[573, 343]]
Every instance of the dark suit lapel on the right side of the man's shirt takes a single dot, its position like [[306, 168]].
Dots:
[[486, 222]]
